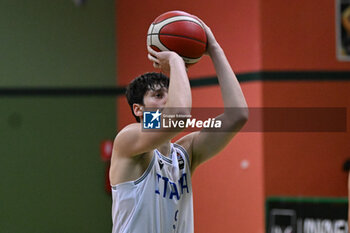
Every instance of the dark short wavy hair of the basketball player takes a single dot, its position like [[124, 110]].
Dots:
[[138, 87]]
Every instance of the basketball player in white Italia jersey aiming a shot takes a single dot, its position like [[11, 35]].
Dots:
[[150, 176]]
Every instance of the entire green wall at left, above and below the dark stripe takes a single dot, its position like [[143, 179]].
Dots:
[[51, 175]]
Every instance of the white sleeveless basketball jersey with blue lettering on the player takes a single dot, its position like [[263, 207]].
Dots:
[[160, 201]]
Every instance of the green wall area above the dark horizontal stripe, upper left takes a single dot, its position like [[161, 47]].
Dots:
[[55, 43]]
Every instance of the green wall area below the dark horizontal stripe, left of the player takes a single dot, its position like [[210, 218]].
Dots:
[[51, 174]]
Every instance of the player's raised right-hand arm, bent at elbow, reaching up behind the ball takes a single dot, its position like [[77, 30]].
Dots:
[[207, 144]]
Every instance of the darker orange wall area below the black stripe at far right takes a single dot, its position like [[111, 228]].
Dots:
[[306, 164]]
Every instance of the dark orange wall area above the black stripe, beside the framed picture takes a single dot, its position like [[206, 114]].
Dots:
[[299, 35]]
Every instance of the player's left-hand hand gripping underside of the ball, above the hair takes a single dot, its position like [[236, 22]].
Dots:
[[161, 60]]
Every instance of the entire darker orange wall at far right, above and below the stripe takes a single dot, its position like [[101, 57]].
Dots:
[[300, 36]]
